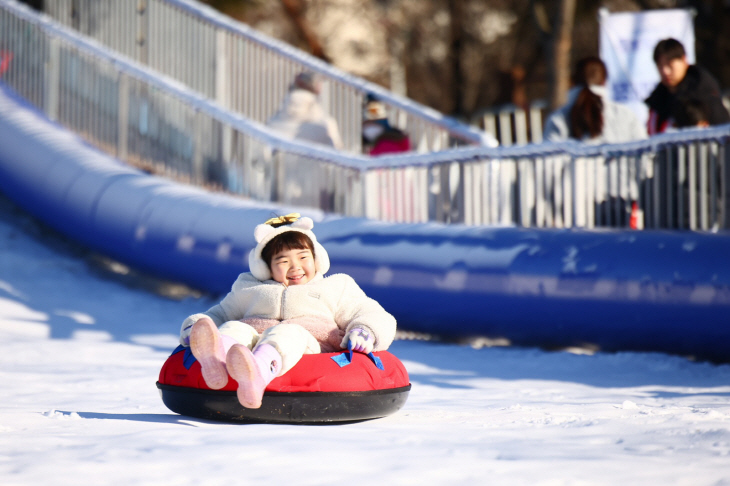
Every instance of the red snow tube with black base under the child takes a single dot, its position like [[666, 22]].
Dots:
[[320, 388]]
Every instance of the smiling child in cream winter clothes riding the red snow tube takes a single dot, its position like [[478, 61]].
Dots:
[[281, 309]]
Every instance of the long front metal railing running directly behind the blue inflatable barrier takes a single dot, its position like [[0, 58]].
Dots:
[[677, 180]]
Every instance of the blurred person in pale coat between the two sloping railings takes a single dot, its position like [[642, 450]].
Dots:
[[301, 115]]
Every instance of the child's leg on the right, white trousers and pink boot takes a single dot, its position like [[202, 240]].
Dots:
[[278, 350]]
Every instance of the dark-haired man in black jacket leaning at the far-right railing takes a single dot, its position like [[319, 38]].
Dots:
[[681, 81]]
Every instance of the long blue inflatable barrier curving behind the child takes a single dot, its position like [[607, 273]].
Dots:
[[617, 290]]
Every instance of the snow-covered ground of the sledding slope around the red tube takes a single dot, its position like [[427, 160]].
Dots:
[[78, 403]]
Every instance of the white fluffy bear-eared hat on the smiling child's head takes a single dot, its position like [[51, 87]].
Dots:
[[264, 233]]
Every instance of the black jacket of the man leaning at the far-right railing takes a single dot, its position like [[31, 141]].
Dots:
[[697, 84]]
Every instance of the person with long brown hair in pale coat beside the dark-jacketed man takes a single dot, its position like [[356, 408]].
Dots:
[[589, 115]]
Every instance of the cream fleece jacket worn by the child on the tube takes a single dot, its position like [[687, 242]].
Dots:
[[327, 307]]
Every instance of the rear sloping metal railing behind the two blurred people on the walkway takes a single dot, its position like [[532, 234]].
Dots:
[[242, 69]]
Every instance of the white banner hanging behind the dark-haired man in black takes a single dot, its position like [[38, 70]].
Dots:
[[626, 43]]
